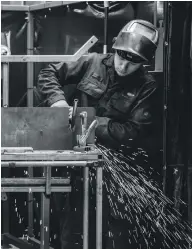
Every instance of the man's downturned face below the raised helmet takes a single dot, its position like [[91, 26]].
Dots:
[[124, 65]]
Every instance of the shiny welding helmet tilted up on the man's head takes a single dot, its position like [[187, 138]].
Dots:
[[138, 37]]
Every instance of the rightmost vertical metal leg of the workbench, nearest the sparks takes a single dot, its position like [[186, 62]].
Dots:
[[99, 199]]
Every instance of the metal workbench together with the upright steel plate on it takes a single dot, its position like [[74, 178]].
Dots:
[[27, 135]]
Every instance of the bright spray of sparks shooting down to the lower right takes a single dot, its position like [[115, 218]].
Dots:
[[140, 201]]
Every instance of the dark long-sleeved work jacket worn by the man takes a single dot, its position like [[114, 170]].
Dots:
[[126, 106]]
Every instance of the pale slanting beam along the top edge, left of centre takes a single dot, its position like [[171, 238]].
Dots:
[[53, 4]]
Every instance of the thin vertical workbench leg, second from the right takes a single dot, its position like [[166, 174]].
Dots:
[[86, 207]]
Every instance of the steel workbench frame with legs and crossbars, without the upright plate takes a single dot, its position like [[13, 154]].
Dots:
[[47, 184]]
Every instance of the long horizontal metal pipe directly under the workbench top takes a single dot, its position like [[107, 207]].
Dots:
[[47, 163]]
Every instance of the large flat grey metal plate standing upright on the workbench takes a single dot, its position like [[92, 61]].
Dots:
[[41, 128]]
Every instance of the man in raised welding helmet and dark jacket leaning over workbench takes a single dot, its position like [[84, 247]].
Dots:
[[118, 86]]
